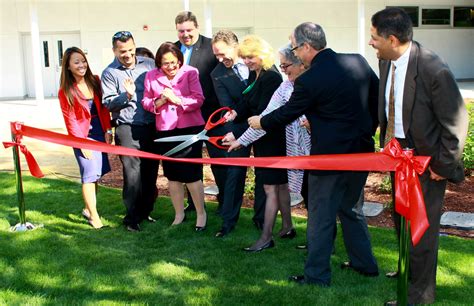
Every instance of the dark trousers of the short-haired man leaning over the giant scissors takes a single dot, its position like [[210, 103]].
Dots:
[[234, 192]]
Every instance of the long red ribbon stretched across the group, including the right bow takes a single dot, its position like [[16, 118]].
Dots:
[[409, 198]]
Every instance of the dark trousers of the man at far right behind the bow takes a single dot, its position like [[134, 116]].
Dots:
[[424, 257]]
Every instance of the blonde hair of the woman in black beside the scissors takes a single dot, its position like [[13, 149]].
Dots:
[[253, 45]]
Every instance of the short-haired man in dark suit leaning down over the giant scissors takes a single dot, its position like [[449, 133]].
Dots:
[[230, 80]]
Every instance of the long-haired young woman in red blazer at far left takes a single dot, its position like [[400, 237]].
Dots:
[[80, 100]]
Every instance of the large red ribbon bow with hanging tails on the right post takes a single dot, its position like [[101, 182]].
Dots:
[[409, 200]]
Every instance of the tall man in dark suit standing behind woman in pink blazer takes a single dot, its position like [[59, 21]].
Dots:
[[197, 51]]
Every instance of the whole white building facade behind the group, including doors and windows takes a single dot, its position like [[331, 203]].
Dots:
[[34, 33]]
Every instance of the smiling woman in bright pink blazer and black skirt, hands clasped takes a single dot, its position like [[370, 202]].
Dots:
[[173, 93]]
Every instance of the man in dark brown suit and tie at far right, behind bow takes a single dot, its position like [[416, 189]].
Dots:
[[429, 117]]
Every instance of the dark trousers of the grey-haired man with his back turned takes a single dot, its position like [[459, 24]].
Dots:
[[331, 196]]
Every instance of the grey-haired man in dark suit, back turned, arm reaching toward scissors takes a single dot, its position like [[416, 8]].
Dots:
[[338, 94]]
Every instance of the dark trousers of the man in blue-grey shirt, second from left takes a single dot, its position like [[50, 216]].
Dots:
[[139, 174]]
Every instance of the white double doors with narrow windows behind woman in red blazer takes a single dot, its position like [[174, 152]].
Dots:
[[52, 47]]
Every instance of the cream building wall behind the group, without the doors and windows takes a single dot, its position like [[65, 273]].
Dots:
[[98, 20]]
